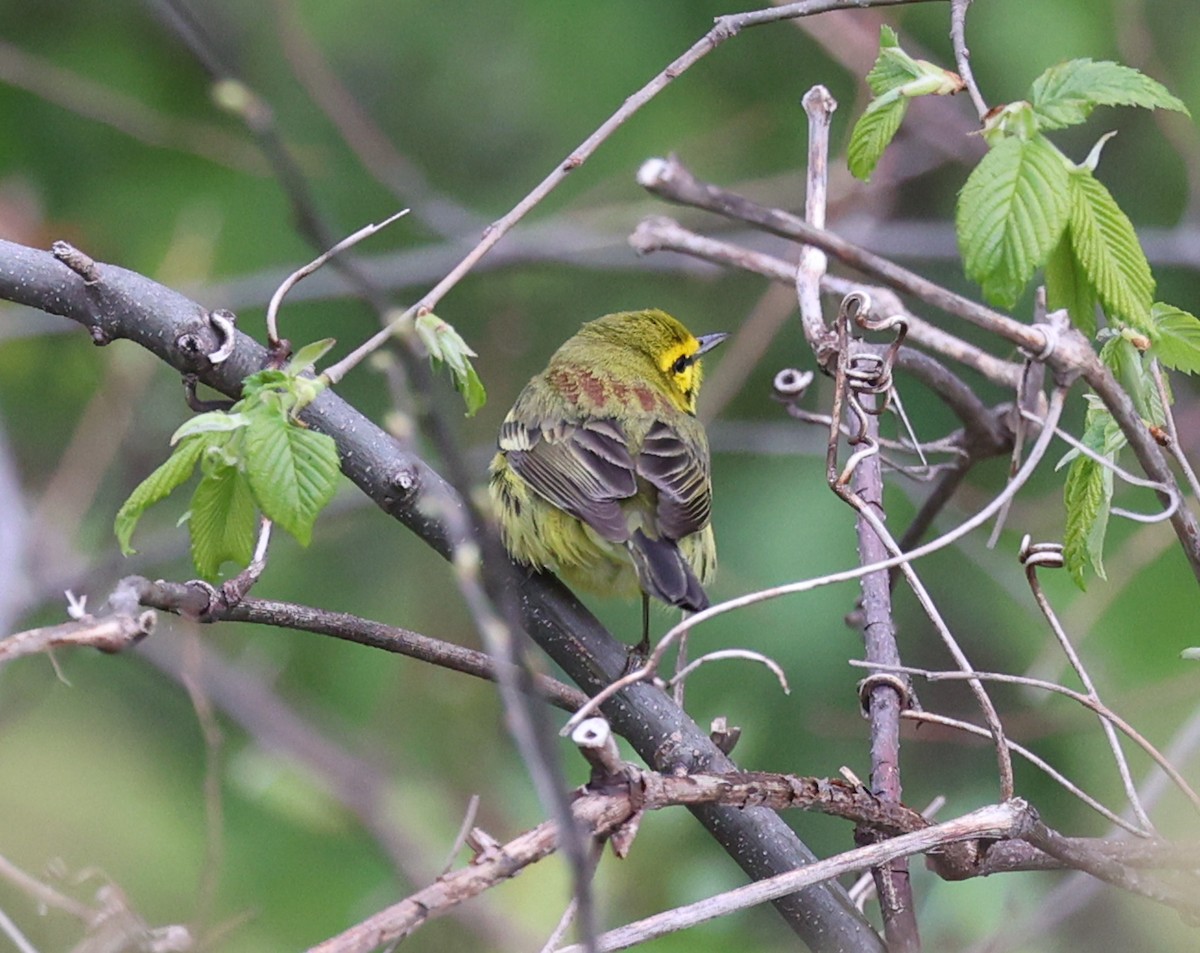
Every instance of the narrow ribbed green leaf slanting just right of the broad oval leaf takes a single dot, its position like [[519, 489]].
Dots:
[[1109, 253]]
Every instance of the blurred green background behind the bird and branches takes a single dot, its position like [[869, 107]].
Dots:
[[341, 775]]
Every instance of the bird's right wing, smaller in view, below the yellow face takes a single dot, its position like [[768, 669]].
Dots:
[[679, 469]]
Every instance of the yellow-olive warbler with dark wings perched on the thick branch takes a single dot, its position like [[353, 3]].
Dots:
[[603, 473]]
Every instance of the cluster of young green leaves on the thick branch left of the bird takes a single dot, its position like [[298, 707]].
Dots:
[[255, 458]]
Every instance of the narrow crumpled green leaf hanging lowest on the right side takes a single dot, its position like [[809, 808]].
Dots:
[[1089, 498]]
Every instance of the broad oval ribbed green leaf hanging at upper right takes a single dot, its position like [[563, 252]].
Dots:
[[1011, 214]]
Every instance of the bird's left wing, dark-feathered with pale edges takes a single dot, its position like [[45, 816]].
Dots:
[[584, 469]]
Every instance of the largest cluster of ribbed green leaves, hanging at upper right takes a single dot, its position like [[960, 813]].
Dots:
[[1027, 206]]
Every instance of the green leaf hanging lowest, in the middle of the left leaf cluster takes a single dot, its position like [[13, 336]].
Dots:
[[224, 522]]
